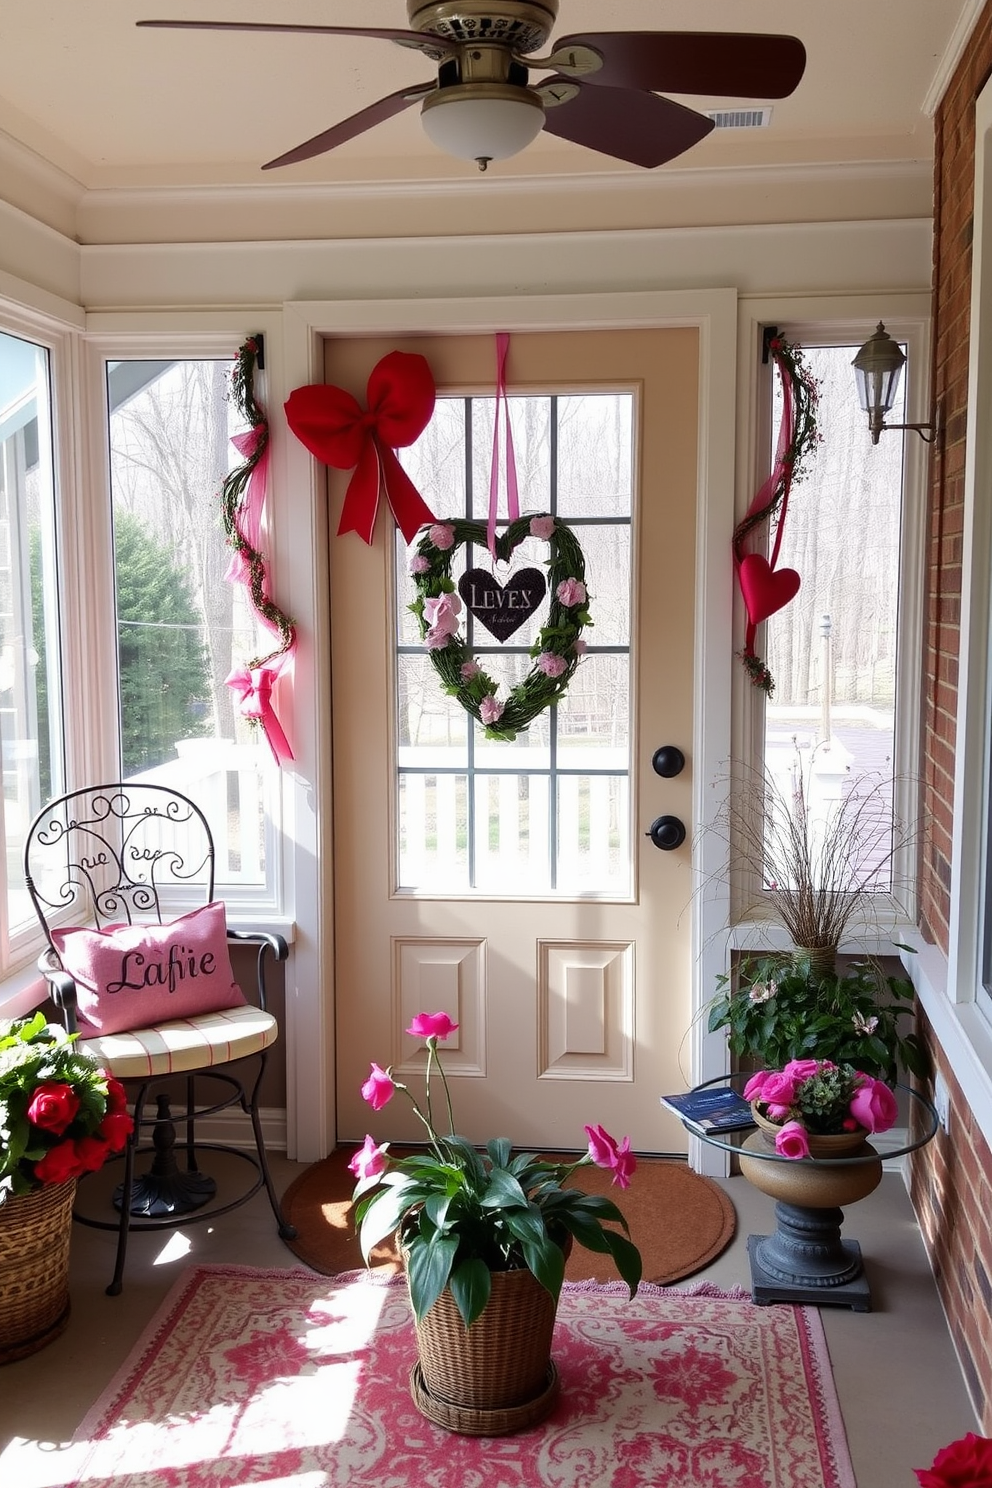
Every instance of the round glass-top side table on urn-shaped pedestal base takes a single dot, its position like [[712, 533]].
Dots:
[[805, 1261]]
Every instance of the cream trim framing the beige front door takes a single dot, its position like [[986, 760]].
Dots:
[[307, 325]]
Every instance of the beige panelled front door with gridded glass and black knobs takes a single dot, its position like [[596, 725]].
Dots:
[[514, 885]]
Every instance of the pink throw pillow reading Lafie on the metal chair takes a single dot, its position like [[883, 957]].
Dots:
[[132, 977]]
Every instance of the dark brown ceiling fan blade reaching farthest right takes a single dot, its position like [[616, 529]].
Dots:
[[737, 65]]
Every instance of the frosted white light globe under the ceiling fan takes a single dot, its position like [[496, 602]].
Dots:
[[483, 123]]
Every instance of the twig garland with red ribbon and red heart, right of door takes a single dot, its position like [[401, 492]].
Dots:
[[764, 587]]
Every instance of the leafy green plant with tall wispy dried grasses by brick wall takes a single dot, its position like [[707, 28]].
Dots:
[[819, 867]]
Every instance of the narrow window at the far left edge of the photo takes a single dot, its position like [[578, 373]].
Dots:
[[30, 663]]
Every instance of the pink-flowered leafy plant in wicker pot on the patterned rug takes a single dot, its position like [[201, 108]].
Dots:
[[484, 1236]]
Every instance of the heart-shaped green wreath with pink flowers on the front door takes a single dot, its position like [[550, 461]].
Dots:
[[558, 647]]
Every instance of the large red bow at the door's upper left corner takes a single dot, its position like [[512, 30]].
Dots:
[[334, 428]]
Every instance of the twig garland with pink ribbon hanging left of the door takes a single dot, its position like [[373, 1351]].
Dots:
[[243, 504]]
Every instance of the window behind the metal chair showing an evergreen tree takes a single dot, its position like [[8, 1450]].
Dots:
[[182, 626]]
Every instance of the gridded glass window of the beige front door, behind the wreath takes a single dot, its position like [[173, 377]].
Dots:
[[550, 812]]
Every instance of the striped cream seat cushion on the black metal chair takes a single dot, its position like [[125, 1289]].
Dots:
[[185, 1045]]
